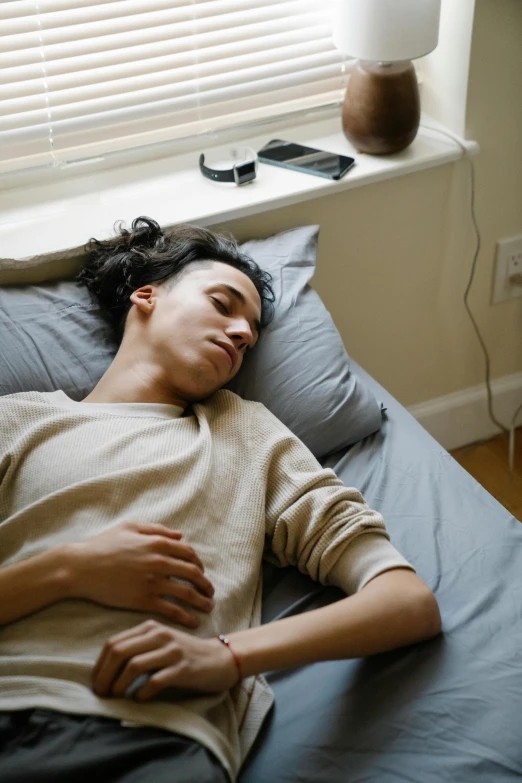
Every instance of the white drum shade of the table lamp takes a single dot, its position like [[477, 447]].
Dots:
[[386, 30]]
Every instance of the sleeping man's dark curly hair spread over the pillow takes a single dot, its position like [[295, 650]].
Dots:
[[118, 266]]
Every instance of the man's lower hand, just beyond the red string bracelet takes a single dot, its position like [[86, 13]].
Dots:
[[175, 659]]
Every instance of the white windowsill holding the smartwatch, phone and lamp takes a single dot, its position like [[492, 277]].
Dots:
[[49, 217]]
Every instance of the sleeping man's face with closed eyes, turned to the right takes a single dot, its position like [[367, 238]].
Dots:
[[183, 326]]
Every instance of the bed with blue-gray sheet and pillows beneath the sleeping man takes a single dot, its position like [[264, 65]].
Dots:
[[445, 710]]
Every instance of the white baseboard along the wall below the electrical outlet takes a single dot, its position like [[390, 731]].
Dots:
[[461, 418]]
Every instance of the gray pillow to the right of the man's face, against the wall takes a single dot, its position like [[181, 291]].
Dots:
[[300, 369]]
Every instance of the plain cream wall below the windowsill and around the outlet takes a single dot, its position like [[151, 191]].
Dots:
[[395, 257]]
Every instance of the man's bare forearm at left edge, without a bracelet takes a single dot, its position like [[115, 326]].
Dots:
[[33, 584]]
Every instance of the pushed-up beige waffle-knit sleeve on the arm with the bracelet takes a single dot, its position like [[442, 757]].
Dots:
[[315, 522]]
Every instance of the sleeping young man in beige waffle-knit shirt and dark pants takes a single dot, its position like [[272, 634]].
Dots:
[[132, 532]]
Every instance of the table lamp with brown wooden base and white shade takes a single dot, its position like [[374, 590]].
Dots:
[[381, 110]]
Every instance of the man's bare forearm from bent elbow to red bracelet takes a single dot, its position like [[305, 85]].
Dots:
[[393, 610]]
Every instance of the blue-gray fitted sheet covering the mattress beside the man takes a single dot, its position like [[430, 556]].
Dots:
[[445, 710]]
